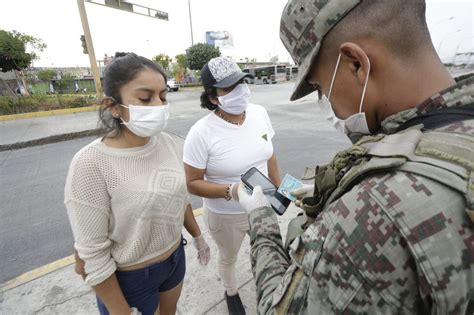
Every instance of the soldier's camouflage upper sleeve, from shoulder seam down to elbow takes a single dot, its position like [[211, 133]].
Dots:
[[365, 265]]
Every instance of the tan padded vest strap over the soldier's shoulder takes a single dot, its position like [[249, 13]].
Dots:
[[441, 156]]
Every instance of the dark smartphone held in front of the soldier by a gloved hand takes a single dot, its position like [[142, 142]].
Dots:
[[253, 177]]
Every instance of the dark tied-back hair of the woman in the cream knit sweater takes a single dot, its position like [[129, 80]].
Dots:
[[122, 70]]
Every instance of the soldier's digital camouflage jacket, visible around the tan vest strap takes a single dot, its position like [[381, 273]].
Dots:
[[396, 243]]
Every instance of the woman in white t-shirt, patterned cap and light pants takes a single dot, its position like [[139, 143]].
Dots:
[[218, 149]]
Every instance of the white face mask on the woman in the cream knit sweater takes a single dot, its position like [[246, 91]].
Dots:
[[147, 121]]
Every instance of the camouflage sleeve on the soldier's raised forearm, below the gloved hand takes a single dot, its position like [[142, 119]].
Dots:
[[268, 257]]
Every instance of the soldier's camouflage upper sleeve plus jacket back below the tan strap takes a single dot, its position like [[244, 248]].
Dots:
[[391, 241]]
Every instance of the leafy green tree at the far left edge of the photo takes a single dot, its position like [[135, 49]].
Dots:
[[17, 52]]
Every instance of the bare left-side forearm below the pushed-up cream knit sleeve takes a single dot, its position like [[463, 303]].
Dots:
[[111, 295]]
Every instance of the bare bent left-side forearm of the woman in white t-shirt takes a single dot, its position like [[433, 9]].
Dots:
[[199, 187]]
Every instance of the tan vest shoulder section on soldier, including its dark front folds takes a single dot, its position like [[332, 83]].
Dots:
[[439, 155]]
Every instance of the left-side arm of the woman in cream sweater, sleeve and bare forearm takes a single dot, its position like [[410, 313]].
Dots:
[[89, 211]]
